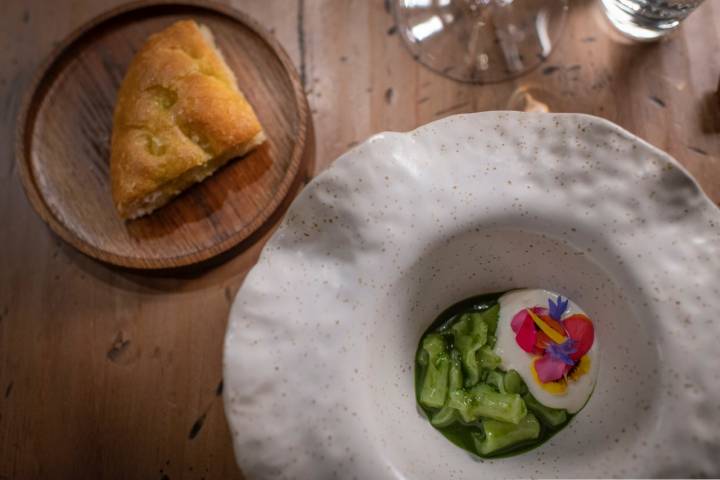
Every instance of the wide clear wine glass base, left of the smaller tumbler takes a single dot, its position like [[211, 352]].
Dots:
[[480, 41]]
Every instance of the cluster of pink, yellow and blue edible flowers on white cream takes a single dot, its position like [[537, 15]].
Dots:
[[559, 345]]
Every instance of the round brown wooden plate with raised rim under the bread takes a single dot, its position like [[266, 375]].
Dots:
[[64, 139]]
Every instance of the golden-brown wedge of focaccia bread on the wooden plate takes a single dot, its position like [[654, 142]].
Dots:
[[179, 117]]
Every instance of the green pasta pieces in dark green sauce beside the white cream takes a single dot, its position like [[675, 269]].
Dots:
[[484, 410]]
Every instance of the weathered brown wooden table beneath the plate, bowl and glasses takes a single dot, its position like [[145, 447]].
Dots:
[[110, 374]]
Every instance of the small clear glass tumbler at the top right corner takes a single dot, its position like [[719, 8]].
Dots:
[[648, 19]]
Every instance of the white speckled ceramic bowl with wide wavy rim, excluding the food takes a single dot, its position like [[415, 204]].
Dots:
[[319, 349]]
